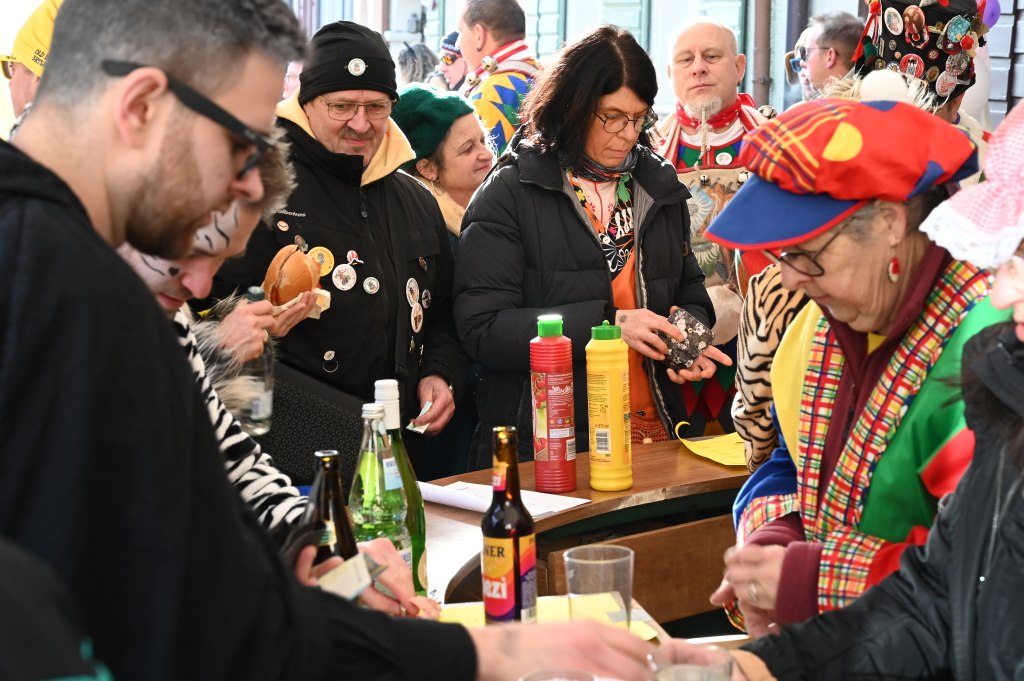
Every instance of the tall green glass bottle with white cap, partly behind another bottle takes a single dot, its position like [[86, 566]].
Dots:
[[387, 394]]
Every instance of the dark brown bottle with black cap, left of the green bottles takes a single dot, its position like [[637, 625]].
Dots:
[[326, 510]]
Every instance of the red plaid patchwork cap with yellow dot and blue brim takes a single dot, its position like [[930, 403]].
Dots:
[[820, 162]]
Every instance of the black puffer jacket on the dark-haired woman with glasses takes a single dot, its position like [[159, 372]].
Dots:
[[528, 249]]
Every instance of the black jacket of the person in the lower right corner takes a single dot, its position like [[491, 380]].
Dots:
[[943, 615]]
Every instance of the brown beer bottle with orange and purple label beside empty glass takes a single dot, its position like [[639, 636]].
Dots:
[[509, 559]]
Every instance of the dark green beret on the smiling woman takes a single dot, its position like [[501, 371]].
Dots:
[[426, 115]]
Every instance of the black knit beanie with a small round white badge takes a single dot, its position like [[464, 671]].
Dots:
[[348, 57]]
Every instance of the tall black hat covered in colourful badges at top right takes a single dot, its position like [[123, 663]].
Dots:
[[934, 41]]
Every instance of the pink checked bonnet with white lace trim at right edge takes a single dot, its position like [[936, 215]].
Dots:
[[985, 224]]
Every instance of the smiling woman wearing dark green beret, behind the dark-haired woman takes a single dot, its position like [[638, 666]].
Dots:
[[453, 157]]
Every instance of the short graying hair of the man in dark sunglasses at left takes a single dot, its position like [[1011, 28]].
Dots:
[[200, 42]]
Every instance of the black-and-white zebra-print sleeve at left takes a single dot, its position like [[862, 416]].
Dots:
[[269, 492]]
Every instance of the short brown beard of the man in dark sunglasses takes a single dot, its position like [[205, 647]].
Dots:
[[164, 218]]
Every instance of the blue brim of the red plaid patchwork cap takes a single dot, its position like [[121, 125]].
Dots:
[[762, 217]]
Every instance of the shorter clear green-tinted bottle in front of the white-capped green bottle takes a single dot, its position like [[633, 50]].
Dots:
[[377, 503]]
